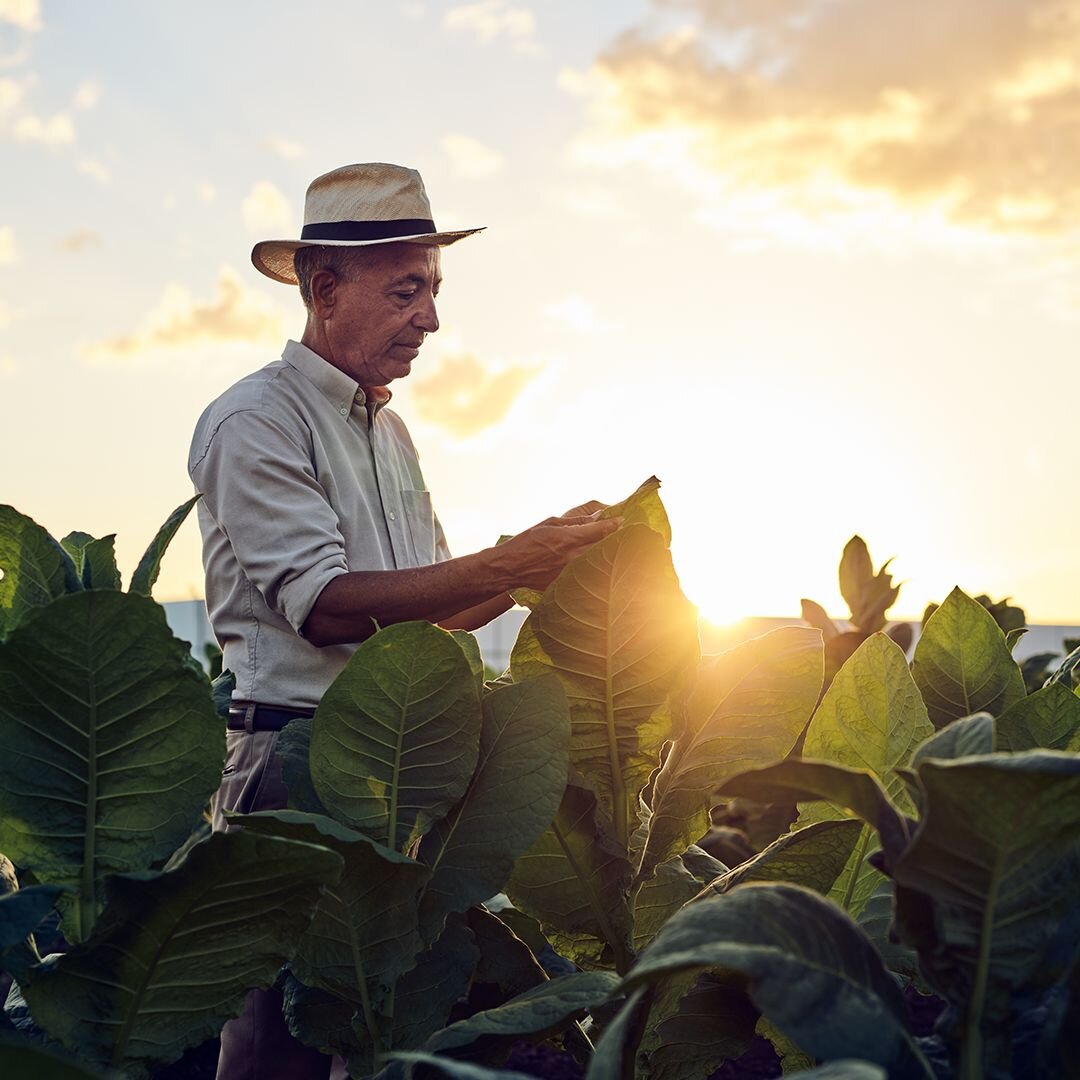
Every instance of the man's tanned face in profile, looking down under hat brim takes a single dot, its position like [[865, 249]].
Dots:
[[380, 322]]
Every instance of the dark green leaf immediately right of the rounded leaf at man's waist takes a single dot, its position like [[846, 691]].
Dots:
[[512, 799]]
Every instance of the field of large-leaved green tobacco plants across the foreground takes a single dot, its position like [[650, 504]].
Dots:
[[823, 849]]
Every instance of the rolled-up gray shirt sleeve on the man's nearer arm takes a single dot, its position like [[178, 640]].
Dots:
[[260, 485]]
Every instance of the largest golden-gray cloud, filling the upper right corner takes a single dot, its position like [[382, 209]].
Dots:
[[965, 110]]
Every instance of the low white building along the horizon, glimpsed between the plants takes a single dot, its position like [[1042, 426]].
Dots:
[[187, 619]]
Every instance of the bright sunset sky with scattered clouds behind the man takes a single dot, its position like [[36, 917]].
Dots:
[[813, 263]]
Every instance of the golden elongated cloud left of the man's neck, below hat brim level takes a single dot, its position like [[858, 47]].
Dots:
[[180, 321]]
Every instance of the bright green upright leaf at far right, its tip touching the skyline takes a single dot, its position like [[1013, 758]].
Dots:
[[963, 664]]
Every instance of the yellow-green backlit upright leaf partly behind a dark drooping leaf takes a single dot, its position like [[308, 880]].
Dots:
[[872, 718]]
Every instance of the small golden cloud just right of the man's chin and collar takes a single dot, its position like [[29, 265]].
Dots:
[[465, 398]]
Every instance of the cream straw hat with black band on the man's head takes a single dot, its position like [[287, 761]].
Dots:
[[356, 207]]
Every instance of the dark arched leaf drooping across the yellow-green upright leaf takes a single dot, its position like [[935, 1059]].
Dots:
[[807, 781]]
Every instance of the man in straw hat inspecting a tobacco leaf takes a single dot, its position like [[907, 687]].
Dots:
[[317, 523]]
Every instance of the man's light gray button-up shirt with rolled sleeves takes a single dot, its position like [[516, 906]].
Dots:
[[303, 480]]
